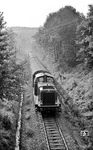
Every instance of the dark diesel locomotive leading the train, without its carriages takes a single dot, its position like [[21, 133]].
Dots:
[[45, 93]]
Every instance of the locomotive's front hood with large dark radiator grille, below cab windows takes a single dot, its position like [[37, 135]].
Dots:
[[48, 97]]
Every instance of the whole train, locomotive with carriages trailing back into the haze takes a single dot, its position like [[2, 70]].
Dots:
[[44, 90]]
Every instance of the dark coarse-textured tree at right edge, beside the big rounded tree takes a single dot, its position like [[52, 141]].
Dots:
[[85, 39]]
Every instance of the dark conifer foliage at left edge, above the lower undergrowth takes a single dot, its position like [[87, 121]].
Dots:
[[10, 84]]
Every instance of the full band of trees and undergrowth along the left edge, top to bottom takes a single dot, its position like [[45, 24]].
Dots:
[[10, 87]]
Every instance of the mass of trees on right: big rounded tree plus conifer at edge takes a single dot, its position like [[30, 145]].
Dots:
[[67, 35]]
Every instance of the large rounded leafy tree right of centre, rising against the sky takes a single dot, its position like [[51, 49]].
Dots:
[[58, 35]]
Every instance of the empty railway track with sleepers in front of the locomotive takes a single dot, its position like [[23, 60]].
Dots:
[[54, 136]]
